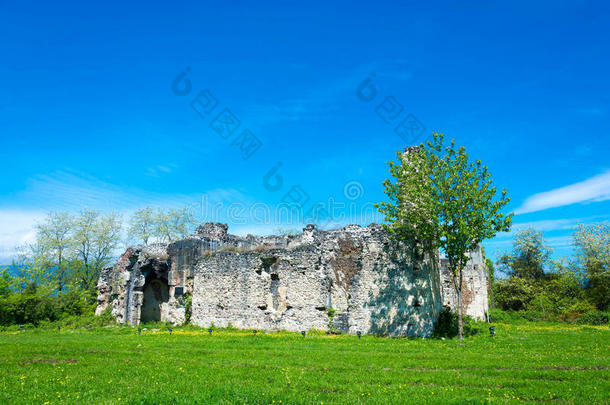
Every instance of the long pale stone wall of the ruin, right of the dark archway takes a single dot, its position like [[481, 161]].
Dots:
[[352, 279]]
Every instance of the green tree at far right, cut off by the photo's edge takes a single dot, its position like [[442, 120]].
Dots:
[[593, 255]]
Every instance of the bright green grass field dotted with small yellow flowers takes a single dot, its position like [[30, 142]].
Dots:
[[532, 362]]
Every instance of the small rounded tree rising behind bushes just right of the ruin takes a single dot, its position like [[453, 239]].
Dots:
[[529, 256]]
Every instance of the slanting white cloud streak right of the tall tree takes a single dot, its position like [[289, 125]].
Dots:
[[594, 189]]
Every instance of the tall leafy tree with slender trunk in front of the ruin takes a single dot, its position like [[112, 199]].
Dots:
[[440, 199]]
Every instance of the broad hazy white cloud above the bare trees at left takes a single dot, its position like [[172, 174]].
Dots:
[[62, 191]]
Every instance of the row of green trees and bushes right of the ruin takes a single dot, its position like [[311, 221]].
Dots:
[[571, 289]]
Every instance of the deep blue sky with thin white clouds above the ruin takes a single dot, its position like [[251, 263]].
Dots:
[[89, 118]]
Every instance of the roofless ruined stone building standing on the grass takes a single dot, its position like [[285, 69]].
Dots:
[[354, 279]]
